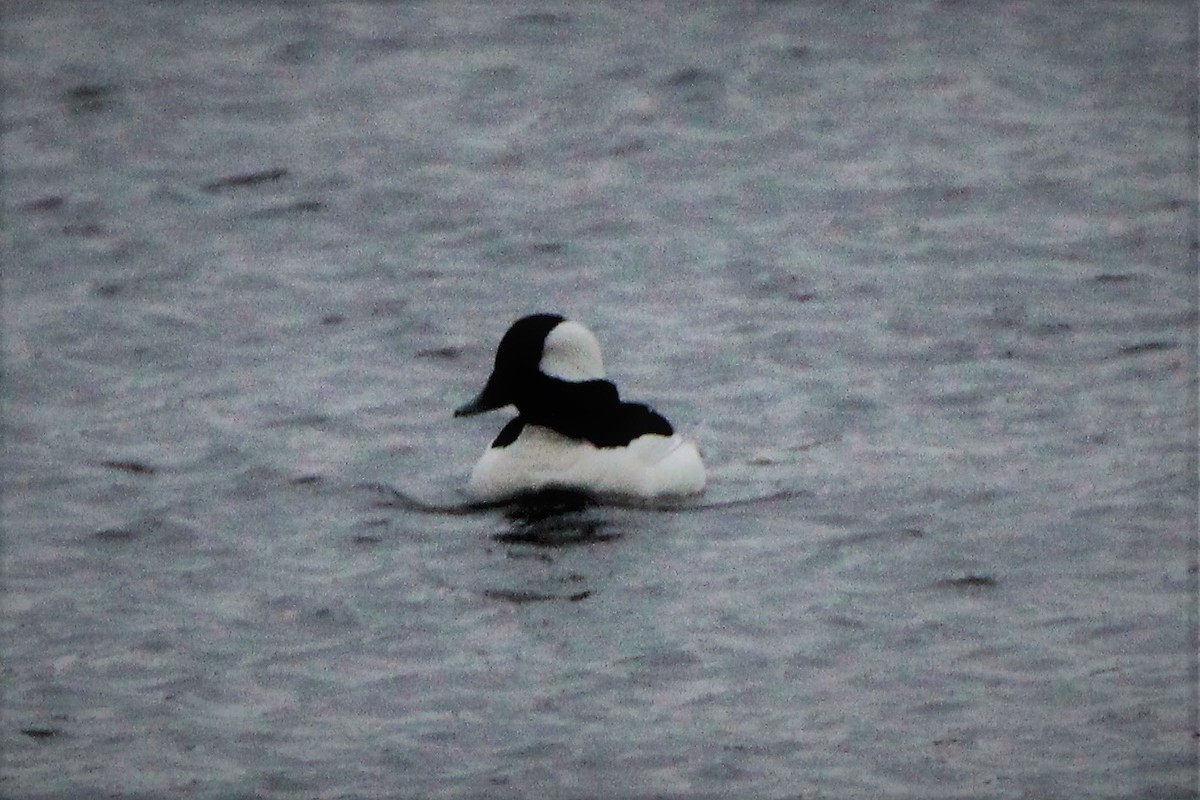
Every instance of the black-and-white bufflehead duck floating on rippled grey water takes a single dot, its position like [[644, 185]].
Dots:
[[573, 430]]
